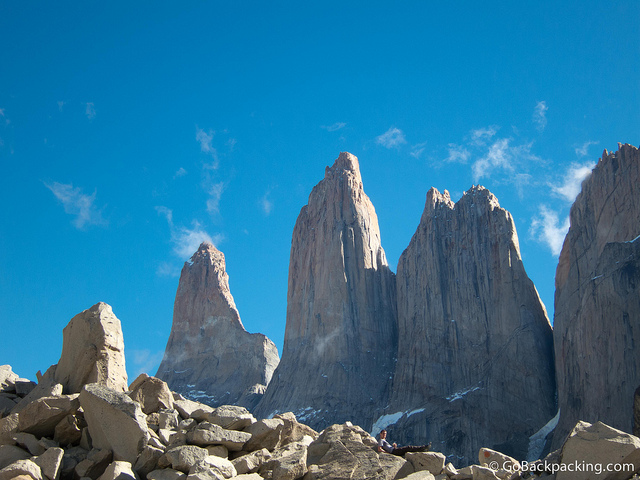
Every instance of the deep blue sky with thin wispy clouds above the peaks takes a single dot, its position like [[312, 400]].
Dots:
[[129, 133]]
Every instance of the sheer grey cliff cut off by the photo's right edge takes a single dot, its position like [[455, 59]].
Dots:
[[597, 303]]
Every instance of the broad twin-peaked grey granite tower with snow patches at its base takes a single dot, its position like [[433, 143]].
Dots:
[[475, 353]]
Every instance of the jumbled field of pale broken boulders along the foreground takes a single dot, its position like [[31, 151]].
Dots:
[[104, 434]]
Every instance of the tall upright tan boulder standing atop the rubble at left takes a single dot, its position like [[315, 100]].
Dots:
[[92, 351]]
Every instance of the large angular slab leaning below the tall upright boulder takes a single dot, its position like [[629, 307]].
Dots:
[[115, 421]]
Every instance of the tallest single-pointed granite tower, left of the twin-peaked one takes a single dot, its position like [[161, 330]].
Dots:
[[340, 338]]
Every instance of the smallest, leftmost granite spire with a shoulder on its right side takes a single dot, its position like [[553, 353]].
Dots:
[[210, 357]]
